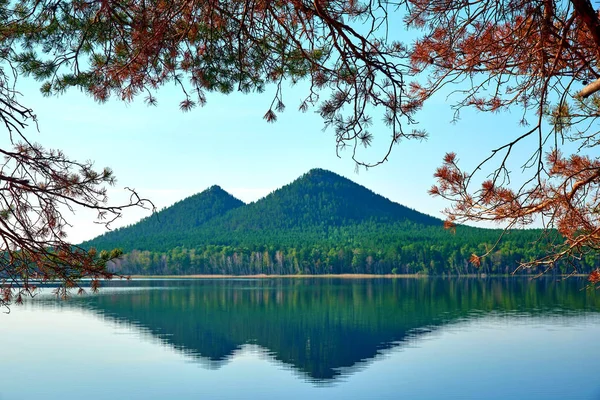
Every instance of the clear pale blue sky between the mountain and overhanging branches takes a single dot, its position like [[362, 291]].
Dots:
[[167, 155]]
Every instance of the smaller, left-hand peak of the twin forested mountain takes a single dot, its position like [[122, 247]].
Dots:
[[183, 216]]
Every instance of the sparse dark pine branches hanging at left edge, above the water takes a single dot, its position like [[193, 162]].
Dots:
[[36, 187]]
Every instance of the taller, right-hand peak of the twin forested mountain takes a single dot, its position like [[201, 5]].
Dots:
[[320, 198]]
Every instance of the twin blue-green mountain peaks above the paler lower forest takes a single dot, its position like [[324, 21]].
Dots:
[[317, 198]]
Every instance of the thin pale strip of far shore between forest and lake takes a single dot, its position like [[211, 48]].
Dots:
[[344, 276]]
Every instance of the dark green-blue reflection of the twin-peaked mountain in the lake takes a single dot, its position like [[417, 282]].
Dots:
[[323, 328]]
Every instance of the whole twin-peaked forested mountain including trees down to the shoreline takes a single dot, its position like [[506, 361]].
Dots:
[[320, 223]]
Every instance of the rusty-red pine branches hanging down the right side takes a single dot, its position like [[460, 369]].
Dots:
[[535, 56]]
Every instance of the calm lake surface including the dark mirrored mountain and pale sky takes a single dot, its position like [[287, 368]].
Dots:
[[301, 338]]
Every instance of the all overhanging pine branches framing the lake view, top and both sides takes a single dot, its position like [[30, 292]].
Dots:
[[532, 55]]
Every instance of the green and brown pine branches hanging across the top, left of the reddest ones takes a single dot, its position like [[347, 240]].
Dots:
[[128, 48]]
